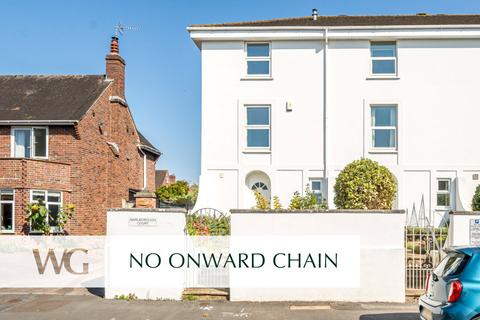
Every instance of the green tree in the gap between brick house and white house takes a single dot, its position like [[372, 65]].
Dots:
[[179, 193]]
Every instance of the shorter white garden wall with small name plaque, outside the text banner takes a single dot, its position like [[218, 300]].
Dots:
[[166, 222]]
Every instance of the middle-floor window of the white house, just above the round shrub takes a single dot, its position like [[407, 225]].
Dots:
[[384, 126]]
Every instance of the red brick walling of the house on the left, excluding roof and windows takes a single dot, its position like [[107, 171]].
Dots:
[[82, 165]]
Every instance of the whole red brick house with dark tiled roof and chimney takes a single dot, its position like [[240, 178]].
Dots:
[[70, 140]]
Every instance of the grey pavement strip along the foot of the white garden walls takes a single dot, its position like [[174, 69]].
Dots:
[[82, 305]]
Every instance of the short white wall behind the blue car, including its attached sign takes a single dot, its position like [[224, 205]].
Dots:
[[464, 228]]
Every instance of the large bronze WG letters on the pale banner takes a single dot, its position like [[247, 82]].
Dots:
[[66, 261]]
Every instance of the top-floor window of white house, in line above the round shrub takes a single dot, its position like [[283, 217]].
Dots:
[[384, 58]]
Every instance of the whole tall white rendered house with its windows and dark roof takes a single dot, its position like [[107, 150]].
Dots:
[[288, 103]]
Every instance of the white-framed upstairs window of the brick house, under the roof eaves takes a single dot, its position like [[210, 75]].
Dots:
[[29, 142]]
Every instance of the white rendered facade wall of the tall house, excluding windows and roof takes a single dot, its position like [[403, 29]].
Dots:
[[436, 92]]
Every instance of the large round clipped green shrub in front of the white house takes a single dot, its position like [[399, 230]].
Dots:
[[364, 184]]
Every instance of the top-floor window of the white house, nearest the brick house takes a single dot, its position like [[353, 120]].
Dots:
[[258, 59]]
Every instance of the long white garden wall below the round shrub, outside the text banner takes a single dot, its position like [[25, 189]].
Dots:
[[382, 264]]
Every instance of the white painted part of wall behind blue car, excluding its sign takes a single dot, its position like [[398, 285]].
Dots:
[[459, 228]]
